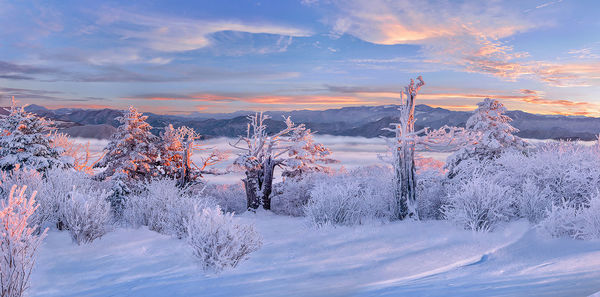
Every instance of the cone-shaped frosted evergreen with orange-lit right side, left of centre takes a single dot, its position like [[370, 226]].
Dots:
[[132, 150]]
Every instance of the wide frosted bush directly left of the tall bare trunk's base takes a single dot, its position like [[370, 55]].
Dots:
[[362, 195]]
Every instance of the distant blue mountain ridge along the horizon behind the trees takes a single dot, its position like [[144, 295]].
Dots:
[[365, 121]]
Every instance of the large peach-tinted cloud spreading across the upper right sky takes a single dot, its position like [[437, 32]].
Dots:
[[474, 42]]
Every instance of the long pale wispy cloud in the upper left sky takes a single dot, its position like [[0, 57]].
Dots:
[[169, 34]]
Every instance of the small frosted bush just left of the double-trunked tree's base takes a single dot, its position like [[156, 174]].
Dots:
[[231, 198]]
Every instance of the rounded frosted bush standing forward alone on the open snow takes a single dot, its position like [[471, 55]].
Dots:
[[218, 241]]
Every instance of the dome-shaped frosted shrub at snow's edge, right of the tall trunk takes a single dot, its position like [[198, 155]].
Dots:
[[479, 205]]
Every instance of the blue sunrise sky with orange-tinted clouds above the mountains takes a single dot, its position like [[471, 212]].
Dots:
[[180, 57]]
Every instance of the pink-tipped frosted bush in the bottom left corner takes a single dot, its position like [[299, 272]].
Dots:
[[18, 242]]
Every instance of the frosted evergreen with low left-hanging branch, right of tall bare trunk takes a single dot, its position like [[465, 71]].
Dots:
[[495, 135]]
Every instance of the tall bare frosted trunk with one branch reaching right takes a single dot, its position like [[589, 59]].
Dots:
[[407, 141]]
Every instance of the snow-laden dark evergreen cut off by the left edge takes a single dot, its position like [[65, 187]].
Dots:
[[26, 139]]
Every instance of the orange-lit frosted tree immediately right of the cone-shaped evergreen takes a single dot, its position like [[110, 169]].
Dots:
[[176, 150]]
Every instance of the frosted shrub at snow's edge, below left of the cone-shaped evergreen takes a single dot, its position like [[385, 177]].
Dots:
[[86, 214]]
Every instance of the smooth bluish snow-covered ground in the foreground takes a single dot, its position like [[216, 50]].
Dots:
[[396, 259]]
